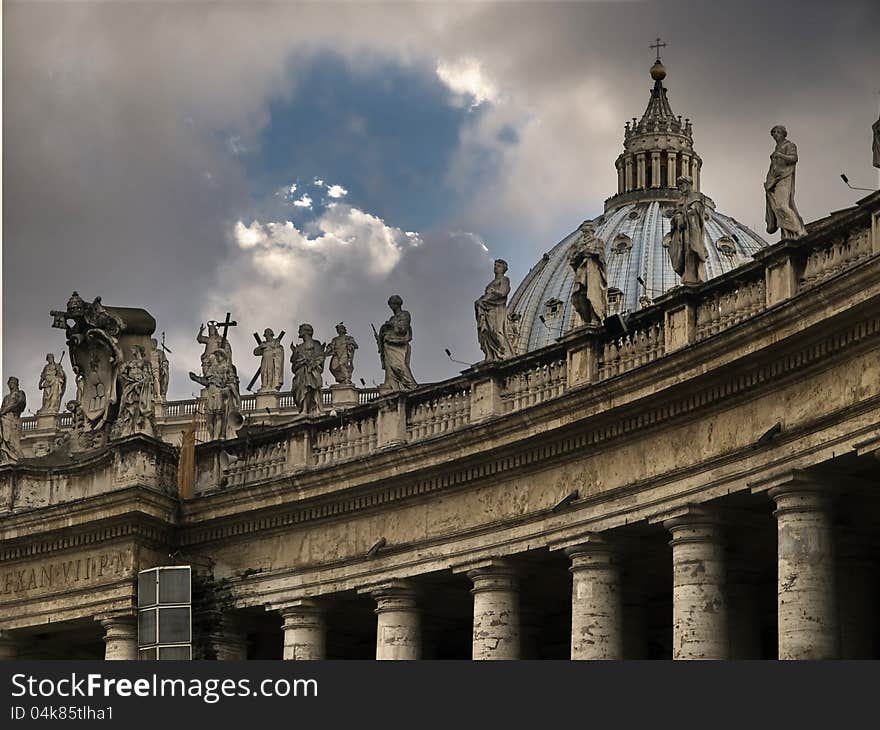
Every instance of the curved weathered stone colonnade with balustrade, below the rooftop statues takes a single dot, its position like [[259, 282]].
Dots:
[[701, 486]]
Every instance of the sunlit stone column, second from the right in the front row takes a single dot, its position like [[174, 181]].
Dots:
[[699, 605]]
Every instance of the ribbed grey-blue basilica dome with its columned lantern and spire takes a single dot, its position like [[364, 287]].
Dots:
[[635, 229]]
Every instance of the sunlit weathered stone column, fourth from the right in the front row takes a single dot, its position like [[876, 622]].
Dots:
[[496, 611]]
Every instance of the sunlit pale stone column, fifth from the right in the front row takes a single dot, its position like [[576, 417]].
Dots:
[[398, 623]]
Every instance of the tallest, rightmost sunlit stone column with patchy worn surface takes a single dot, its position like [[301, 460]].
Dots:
[[806, 607]]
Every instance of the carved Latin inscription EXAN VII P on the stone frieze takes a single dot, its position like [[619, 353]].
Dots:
[[78, 571]]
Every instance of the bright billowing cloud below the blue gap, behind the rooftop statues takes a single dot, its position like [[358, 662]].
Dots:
[[344, 268]]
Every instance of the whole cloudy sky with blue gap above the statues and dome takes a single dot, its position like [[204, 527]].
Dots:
[[300, 162]]
